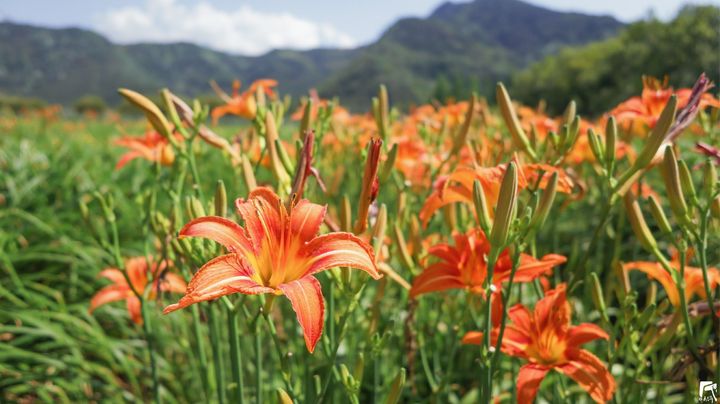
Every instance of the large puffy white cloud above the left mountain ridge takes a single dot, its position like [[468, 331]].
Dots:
[[244, 30]]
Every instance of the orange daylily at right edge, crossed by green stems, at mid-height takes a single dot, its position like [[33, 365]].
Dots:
[[694, 282]]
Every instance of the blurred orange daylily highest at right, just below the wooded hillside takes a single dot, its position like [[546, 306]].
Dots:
[[638, 114]]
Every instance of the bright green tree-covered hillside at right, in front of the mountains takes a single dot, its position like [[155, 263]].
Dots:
[[602, 74]]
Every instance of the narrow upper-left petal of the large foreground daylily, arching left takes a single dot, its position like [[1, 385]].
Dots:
[[221, 230]]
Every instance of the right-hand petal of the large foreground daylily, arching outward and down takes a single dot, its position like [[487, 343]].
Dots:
[[339, 250]]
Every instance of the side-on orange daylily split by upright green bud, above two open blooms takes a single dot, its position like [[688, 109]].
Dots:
[[458, 186]]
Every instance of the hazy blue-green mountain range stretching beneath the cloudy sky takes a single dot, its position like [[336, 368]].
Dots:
[[482, 41]]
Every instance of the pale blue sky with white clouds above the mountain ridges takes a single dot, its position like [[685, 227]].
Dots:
[[256, 26]]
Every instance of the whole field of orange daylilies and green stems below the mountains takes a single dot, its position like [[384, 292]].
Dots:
[[265, 250]]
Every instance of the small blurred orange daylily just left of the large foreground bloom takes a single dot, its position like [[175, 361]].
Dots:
[[137, 271]]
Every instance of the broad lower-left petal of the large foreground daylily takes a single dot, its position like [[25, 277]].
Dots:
[[221, 276]]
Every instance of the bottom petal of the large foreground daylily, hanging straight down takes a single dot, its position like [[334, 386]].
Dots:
[[306, 297]]
